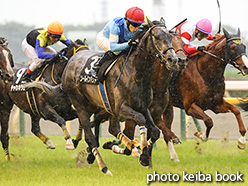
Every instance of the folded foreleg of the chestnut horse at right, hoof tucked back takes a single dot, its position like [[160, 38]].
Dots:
[[196, 112]]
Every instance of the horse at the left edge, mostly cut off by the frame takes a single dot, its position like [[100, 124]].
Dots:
[[6, 75]]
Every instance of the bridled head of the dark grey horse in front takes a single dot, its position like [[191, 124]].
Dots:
[[160, 44]]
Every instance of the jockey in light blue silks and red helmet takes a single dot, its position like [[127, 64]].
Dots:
[[116, 35]]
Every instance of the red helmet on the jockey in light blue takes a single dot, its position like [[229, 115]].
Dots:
[[135, 15]]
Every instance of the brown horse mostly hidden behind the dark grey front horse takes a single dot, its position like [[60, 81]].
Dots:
[[160, 80]]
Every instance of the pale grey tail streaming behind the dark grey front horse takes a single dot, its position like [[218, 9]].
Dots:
[[45, 87]]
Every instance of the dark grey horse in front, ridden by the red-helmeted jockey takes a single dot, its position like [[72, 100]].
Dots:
[[130, 99]]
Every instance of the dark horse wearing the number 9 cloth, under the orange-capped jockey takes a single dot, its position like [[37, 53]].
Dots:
[[39, 105]]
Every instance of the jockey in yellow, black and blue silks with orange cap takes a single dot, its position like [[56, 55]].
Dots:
[[36, 45]]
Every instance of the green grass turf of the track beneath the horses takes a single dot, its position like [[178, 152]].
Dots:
[[32, 164]]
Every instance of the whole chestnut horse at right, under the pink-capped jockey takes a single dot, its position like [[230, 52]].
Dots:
[[200, 86]]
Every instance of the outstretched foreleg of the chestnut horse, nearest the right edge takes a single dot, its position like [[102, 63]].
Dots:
[[227, 107]]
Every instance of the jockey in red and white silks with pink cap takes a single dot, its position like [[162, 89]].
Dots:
[[189, 32]]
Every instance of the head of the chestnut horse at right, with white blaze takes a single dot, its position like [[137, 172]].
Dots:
[[235, 53]]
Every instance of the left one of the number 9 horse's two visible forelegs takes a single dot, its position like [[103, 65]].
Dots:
[[36, 131]]
